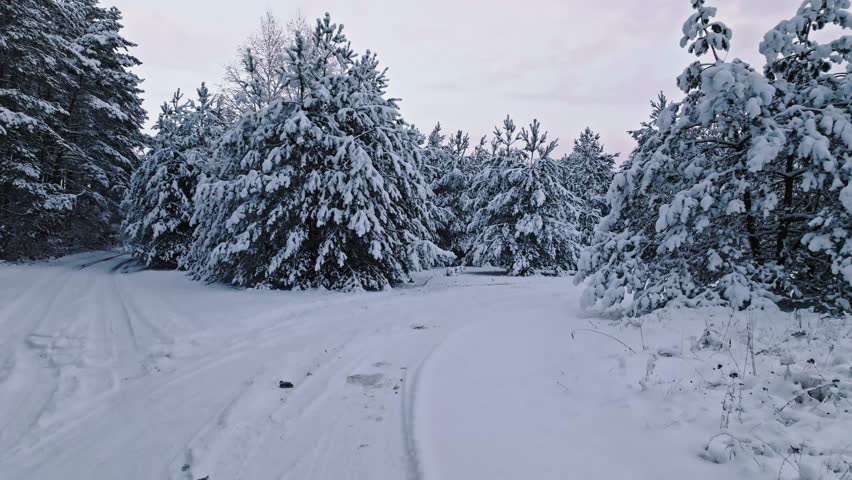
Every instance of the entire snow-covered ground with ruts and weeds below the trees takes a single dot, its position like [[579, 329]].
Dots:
[[107, 372]]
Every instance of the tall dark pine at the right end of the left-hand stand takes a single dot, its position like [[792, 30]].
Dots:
[[104, 122]]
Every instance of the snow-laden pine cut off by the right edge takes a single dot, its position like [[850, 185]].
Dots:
[[812, 214]]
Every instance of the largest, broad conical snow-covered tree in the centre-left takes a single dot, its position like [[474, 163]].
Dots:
[[320, 191]]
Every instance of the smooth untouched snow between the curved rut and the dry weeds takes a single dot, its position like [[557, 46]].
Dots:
[[537, 404]]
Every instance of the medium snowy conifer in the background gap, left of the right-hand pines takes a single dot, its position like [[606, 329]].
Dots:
[[525, 219]]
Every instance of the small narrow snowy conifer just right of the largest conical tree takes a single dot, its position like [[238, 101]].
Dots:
[[449, 170]]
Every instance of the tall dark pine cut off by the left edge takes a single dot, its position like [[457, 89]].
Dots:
[[34, 77]]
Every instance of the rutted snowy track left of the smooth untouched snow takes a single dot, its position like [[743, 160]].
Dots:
[[109, 374]]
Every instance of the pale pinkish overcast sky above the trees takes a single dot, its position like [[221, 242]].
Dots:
[[467, 63]]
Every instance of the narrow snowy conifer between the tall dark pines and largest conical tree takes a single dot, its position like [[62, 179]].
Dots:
[[159, 205]]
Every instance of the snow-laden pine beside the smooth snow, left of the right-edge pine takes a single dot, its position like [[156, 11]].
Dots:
[[693, 175]]
